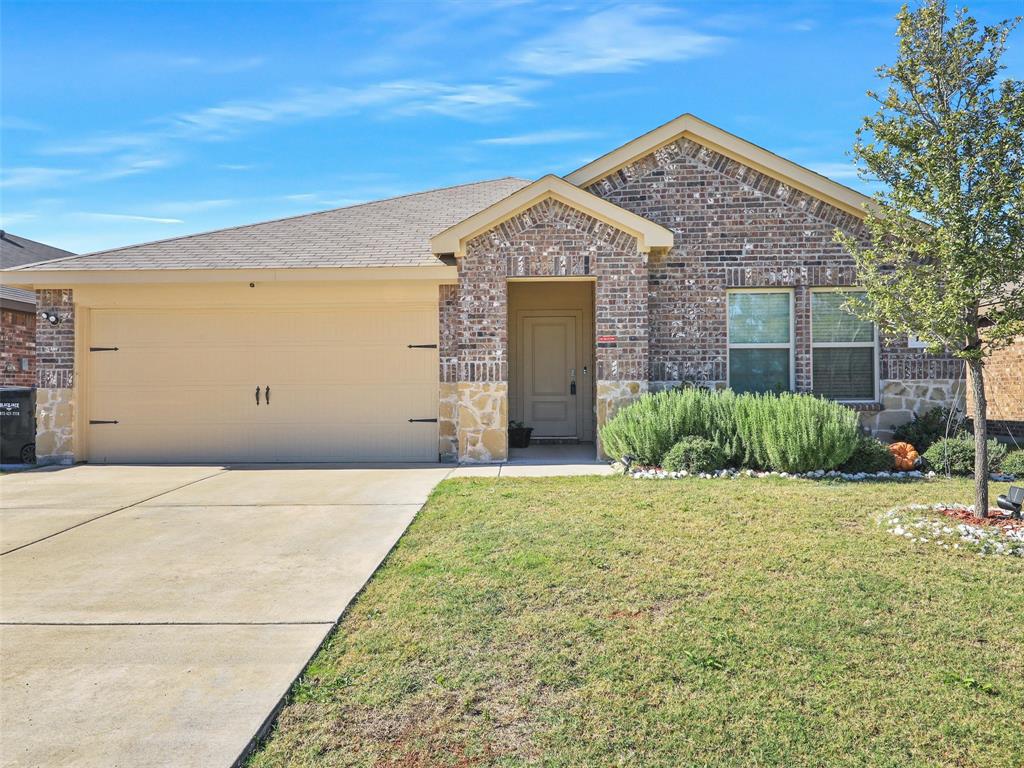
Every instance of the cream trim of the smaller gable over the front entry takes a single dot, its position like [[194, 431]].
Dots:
[[648, 234]]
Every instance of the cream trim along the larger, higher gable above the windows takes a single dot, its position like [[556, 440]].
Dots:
[[691, 126]]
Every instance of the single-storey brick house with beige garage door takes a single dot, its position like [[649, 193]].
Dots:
[[417, 327]]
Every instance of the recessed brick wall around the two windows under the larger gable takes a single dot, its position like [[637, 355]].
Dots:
[[737, 228]]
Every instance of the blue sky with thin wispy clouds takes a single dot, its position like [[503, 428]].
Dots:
[[136, 121]]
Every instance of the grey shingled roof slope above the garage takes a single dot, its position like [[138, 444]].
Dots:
[[385, 234]]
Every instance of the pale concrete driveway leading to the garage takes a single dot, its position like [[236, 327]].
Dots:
[[156, 616]]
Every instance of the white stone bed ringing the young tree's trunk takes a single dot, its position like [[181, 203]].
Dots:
[[924, 524]]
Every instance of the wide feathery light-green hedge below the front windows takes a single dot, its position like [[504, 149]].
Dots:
[[783, 433]]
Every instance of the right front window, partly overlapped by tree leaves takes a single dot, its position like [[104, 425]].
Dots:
[[844, 352]]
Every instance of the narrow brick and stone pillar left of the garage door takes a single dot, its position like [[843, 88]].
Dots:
[[56, 379]]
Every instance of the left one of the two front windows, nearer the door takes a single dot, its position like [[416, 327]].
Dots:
[[760, 342]]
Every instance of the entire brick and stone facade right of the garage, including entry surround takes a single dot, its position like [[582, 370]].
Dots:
[[734, 227]]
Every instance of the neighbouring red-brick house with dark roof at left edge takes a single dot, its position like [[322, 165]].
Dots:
[[18, 311]]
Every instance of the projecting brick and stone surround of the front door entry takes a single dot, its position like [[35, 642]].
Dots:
[[550, 240]]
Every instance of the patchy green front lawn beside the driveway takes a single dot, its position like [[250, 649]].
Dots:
[[608, 622]]
